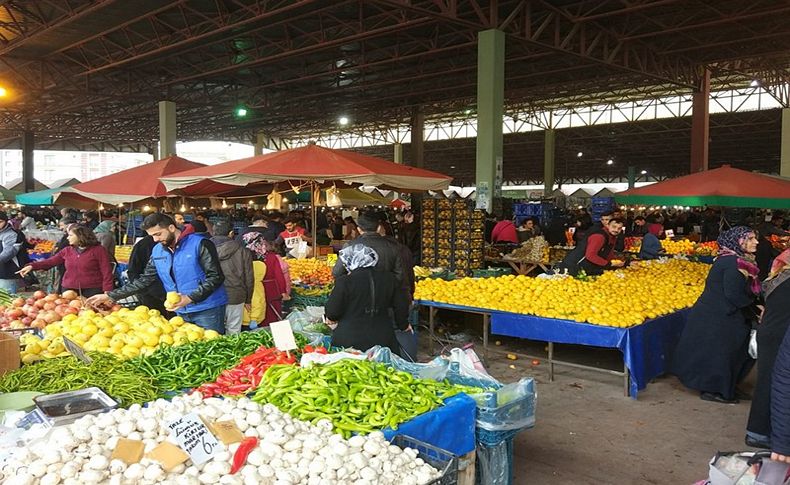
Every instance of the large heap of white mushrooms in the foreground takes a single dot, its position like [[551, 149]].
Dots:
[[290, 451]]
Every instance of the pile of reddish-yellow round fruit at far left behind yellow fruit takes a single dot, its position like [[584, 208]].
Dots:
[[40, 309]]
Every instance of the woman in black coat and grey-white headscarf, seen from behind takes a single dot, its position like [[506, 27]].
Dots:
[[366, 305]]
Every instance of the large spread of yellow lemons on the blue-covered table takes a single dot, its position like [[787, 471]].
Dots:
[[621, 298]]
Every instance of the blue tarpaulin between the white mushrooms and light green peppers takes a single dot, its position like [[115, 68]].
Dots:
[[450, 427]]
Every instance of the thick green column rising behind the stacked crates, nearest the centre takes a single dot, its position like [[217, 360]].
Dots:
[[490, 110]]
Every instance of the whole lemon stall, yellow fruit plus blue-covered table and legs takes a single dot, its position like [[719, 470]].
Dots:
[[600, 312]]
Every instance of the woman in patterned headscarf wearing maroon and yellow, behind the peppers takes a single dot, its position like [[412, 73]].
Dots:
[[272, 278]]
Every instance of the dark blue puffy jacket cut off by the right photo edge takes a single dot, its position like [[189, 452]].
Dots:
[[780, 400]]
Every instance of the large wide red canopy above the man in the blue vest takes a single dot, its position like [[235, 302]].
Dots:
[[309, 164]]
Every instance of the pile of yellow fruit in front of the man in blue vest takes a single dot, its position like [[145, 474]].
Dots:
[[125, 333]]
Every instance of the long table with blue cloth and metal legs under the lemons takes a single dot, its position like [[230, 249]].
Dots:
[[646, 347]]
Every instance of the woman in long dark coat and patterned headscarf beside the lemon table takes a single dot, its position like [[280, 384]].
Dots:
[[712, 355]]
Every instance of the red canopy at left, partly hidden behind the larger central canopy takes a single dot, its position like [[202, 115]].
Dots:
[[131, 185]]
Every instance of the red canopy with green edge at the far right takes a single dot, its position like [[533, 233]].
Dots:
[[724, 186]]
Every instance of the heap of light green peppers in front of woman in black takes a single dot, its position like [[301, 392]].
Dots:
[[357, 396]]
